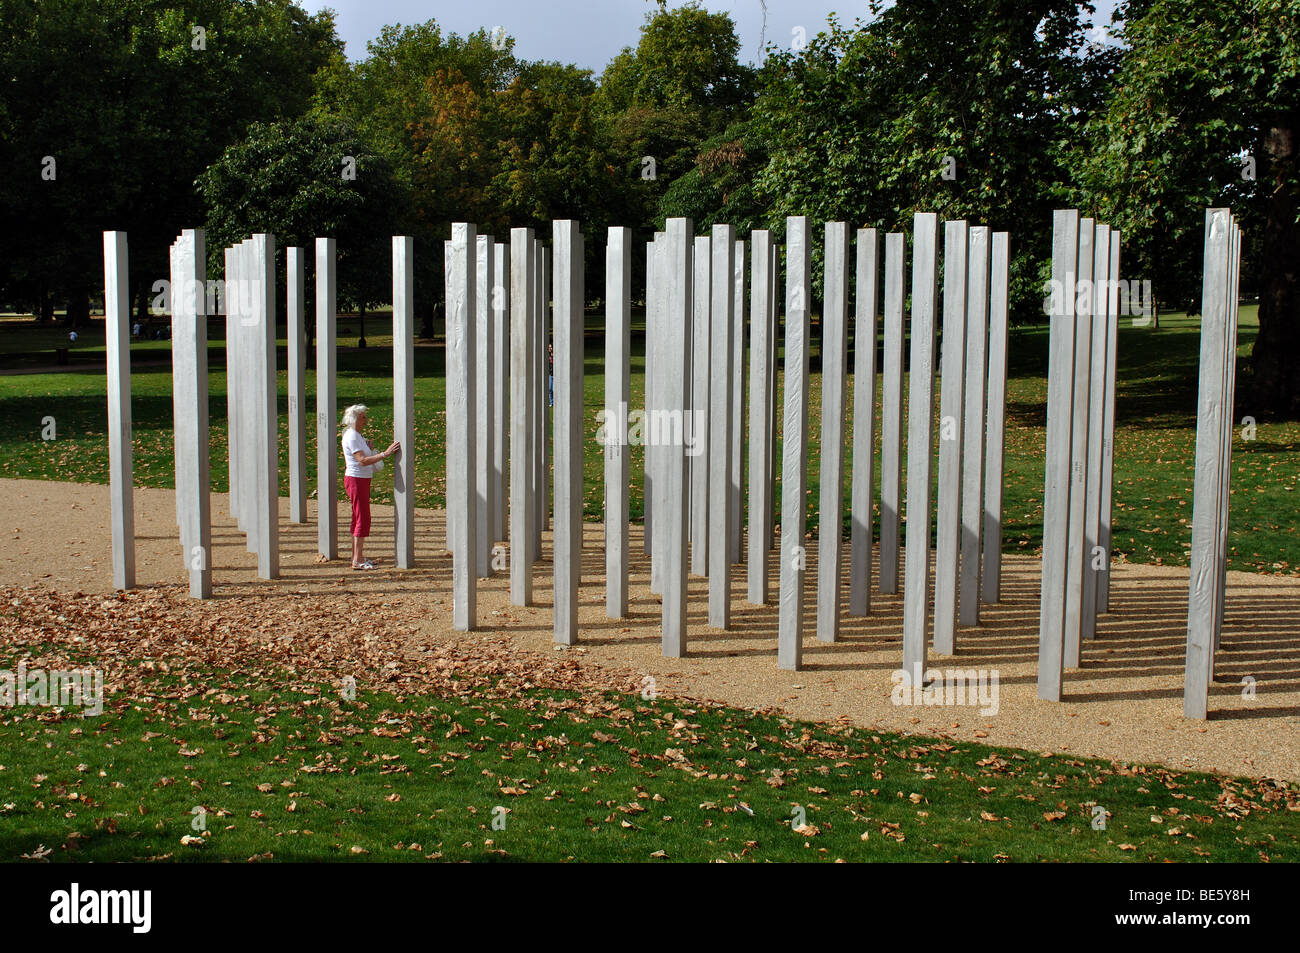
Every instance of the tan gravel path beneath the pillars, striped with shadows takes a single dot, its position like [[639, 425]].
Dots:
[[1124, 704]]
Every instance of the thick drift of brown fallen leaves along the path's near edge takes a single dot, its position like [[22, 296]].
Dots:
[[138, 635]]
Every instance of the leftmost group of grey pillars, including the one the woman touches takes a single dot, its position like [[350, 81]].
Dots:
[[254, 444]]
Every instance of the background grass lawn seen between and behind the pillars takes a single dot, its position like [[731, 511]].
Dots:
[[1155, 431]]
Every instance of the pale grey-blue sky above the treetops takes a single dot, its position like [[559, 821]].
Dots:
[[591, 33]]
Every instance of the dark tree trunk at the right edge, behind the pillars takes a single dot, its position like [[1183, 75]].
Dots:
[[1276, 358]]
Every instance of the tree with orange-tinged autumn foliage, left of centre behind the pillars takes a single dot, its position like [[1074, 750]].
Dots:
[[478, 136]]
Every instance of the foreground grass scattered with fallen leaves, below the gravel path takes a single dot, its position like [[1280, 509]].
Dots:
[[292, 776]]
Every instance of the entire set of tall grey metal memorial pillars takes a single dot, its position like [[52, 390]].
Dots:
[[699, 337]]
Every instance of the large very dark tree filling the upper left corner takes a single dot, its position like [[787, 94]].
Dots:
[[131, 101]]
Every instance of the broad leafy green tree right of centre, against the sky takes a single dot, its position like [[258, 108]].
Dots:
[[922, 110]]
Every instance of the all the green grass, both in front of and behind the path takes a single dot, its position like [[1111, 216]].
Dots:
[[288, 769]]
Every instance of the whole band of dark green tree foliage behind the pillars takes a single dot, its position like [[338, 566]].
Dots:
[[996, 112]]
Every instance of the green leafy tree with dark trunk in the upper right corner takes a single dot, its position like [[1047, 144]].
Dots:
[[1206, 111]]
